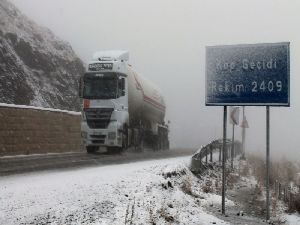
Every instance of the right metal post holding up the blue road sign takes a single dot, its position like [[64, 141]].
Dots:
[[268, 163]]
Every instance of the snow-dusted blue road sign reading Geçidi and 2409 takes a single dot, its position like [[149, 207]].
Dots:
[[254, 74]]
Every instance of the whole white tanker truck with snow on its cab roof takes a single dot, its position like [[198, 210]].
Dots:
[[120, 108]]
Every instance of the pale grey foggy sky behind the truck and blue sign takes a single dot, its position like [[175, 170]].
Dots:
[[166, 41]]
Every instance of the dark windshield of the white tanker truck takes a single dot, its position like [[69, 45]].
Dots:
[[100, 86]]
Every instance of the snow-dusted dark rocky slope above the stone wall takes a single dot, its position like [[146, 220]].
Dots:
[[36, 67]]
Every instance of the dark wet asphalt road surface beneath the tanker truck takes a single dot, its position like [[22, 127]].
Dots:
[[23, 164]]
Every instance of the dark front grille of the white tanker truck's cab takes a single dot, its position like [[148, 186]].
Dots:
[[98, 118]]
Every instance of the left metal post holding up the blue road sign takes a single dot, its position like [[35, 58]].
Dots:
[[223, 159]]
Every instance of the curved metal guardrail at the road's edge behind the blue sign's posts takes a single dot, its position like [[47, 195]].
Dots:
[[205, 155]]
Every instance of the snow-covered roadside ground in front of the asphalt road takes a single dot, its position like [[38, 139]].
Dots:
[[152, 192]]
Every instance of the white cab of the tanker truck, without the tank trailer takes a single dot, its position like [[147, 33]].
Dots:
[[105, 100]]
